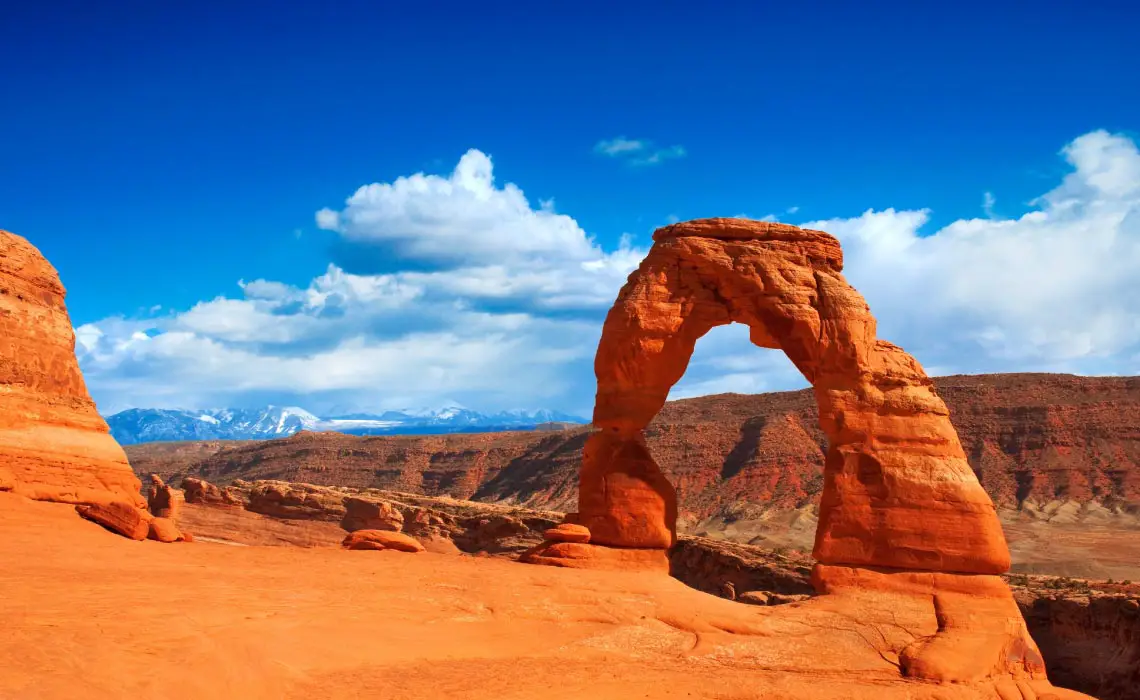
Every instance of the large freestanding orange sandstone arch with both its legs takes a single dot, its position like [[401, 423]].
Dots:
[[899, 492]]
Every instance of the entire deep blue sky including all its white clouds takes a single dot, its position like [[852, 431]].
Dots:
[[160, 153]]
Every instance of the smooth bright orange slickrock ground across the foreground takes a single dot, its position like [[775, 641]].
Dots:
[[91, 615]]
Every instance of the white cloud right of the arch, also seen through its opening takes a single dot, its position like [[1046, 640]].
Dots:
[[1054, 290]]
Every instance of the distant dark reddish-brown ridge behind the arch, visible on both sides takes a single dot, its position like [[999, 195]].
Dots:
[[1033, 439]]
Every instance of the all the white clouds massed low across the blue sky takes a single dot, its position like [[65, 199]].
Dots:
[[499, 304]]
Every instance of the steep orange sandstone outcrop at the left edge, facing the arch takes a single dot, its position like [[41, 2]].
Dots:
[[53, 443]]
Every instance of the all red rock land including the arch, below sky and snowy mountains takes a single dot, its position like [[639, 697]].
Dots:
[[844, 542]]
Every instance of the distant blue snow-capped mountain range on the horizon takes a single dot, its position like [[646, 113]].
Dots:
[[164, 425]]
